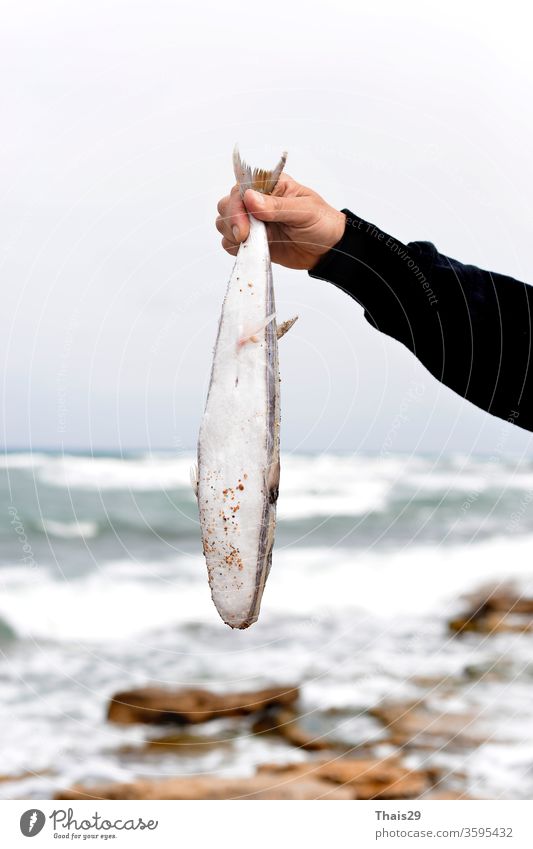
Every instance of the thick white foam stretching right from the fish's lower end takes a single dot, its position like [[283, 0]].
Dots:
[[416, 580]]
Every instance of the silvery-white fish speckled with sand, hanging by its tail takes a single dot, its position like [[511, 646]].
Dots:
[[236, 480]]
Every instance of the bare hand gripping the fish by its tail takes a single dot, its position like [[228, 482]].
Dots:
[[301, 226]]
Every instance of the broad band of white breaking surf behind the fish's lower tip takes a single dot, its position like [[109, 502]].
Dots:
[[125, 602]]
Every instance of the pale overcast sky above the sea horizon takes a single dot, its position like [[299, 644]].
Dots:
[[118, 121]]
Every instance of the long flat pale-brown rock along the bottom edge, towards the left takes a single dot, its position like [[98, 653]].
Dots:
[[266, 786]]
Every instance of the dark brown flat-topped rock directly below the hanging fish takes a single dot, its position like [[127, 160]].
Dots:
[[191, 706]]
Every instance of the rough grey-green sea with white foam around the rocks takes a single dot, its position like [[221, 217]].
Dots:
[[103, 587]]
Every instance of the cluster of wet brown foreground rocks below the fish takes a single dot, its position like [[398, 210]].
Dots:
[[341, 775]]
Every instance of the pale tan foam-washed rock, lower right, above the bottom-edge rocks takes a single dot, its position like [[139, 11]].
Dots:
[[412, 725]]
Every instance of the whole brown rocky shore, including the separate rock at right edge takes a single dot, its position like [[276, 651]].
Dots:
[[396, 763]]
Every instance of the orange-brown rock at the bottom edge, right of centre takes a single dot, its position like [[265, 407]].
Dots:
[[368, 778]]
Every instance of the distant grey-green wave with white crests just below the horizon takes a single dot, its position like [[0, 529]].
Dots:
[[150, 495]]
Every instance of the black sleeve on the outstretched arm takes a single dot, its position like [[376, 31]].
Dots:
[[470, 328]]
